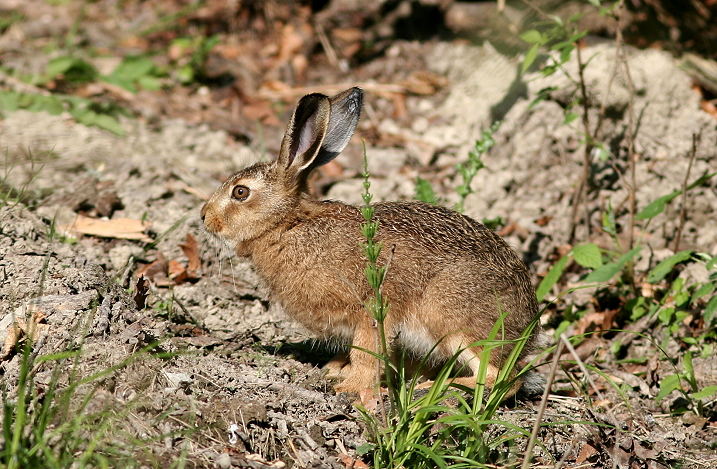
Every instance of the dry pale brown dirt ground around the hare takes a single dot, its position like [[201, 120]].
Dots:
[[235, 360]]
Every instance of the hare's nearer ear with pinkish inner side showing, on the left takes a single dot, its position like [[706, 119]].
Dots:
[[305, 133]]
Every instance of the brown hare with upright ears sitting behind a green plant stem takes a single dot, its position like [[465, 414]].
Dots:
[[449, 281]]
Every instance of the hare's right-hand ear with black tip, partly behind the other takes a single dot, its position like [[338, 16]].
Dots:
[[345, 114]]
